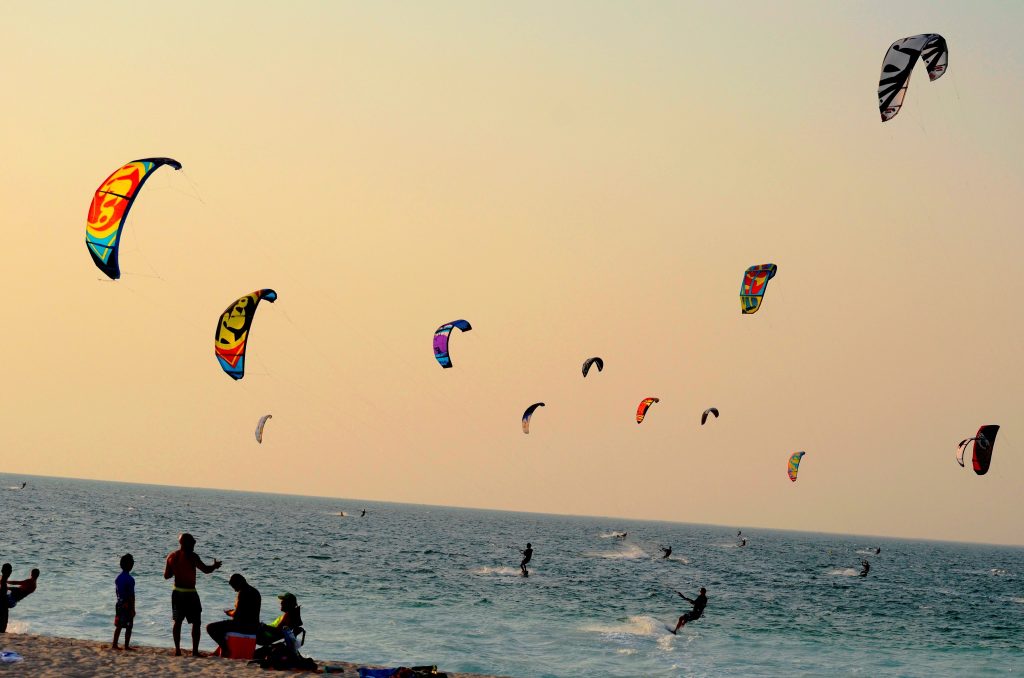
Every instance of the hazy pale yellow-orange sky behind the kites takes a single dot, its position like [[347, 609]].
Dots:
[[576, 180]]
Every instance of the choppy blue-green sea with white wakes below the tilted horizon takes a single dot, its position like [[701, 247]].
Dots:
[[414, 584]]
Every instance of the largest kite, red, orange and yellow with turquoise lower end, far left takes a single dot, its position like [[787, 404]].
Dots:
[[110, 207]]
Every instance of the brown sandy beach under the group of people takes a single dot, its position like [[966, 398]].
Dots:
[[54, 657]]
